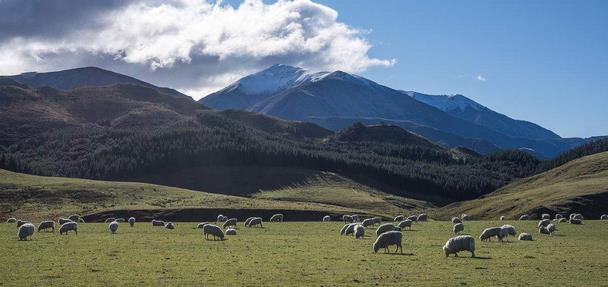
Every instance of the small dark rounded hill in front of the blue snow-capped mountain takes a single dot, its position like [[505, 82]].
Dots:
[[359, 132]]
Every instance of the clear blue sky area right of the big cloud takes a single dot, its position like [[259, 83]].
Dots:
[[542, 61]]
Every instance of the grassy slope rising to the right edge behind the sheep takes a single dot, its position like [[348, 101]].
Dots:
[[580, 185]]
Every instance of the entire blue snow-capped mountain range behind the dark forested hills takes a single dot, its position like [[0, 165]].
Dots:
[[336, 100]]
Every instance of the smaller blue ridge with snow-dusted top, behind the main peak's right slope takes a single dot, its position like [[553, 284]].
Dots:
[[464, 108]]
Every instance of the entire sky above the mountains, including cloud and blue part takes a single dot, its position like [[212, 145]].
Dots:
[[542, 61]]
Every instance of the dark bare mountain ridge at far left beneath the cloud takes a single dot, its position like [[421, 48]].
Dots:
[[83, 77]]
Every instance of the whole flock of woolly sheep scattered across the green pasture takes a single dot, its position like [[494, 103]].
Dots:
[[388, 234]]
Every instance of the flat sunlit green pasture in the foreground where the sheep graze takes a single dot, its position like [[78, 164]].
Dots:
[[300, 254]]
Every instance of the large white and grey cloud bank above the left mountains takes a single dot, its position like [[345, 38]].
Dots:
[[195, 46]]
